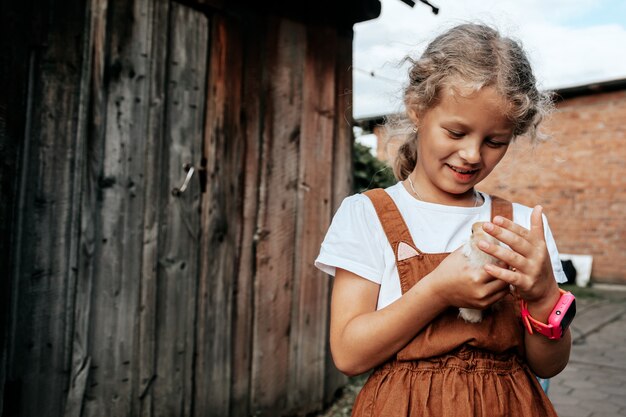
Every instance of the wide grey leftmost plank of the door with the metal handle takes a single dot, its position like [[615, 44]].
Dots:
[[118, 155]]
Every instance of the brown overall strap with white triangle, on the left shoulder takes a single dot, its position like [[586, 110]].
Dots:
[[393, 224]]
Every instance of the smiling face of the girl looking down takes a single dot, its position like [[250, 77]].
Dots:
[[461, 140]]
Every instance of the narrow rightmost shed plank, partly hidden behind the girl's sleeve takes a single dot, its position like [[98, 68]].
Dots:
[[341, 174]]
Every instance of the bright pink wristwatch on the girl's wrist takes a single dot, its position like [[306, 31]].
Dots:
[[559, 319]]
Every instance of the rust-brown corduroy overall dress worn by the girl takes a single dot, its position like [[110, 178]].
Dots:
[[452, 368]]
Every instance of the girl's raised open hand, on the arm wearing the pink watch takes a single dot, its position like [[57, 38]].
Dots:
[[528, 258]]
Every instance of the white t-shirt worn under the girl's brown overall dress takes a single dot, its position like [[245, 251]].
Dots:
[[357, 242]]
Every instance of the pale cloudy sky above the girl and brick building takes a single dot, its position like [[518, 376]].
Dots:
[[569, 42]]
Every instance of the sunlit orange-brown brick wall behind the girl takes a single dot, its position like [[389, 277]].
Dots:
[[579, 177]]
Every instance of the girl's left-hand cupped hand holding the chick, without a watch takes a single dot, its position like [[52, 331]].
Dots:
[[459, 284]]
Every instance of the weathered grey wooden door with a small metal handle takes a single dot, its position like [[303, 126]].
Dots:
[[145, 270]]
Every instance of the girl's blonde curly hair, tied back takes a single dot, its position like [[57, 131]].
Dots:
[[473, 56]]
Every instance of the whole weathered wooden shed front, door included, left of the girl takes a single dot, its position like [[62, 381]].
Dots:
[[178, 168]]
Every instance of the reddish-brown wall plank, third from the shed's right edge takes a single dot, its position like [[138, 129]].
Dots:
[[276, 229]]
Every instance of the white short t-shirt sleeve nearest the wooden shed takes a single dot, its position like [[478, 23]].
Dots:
[[353, 241]]
